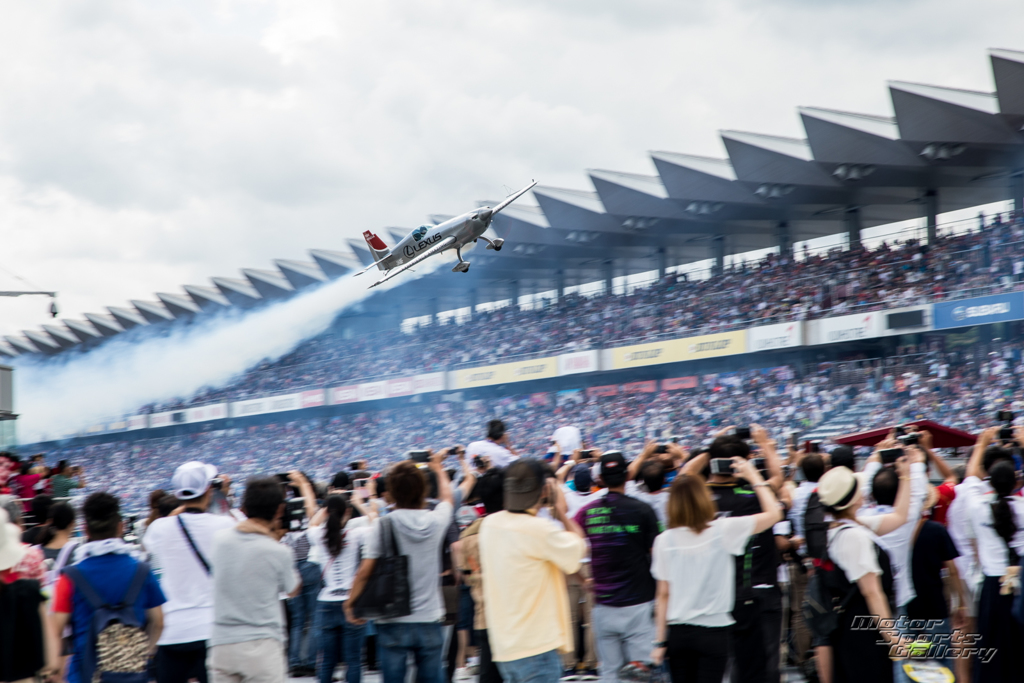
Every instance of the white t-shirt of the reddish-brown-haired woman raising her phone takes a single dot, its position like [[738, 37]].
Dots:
[[701, 570]]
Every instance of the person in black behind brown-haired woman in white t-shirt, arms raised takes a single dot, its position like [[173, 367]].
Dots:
[[758, 611]]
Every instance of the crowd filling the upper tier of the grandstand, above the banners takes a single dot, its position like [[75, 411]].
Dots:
[[775, 290]]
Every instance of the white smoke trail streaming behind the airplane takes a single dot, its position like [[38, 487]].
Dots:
[[57, 398]]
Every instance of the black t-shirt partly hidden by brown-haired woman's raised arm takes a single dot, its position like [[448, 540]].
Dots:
[[759, 566]]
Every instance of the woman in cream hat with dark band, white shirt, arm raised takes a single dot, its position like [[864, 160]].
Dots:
[[855, 548]]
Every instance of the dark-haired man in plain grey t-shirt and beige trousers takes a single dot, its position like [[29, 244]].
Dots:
[[251, 571]]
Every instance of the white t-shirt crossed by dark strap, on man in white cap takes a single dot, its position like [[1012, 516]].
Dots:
[[189, 611]]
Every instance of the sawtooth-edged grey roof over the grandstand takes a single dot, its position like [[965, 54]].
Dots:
[[942, 150]]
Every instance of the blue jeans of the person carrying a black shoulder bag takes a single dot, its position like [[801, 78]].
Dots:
[[424, 641]]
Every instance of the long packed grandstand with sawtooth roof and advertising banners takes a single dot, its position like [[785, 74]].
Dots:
[[743, 320]]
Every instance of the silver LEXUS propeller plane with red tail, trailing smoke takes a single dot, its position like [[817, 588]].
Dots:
[[429, 241]]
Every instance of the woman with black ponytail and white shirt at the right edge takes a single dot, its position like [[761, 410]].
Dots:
[[998, 523]]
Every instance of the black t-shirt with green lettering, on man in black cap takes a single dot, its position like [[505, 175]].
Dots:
[[621, 531]]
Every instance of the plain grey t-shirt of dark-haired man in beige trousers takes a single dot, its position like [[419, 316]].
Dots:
[[250, 574]]
